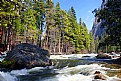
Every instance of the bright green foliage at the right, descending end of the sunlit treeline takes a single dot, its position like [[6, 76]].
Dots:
[[75, 33]]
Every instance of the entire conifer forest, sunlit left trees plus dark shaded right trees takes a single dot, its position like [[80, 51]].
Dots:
[[43, 23]]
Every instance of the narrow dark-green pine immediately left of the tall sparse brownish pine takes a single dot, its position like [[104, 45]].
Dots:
[[39, 7]]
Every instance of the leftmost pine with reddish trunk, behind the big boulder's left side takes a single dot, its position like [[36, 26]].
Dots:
[[8, 12]]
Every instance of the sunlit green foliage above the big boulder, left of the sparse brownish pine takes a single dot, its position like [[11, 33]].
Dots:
[[25, 17]]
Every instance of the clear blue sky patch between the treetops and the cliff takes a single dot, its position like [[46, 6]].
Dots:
[[83, 9]]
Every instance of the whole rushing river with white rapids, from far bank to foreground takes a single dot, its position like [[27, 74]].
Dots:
[[76, 67]]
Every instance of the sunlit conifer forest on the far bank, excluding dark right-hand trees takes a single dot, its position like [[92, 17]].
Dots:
[[42, 23]]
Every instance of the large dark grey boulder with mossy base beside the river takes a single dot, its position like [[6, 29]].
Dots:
[[26, 56]]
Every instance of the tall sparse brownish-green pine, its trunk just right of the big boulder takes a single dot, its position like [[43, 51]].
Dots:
[[50, 37]]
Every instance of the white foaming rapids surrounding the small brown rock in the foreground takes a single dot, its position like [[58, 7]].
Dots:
[[81, 73]]
